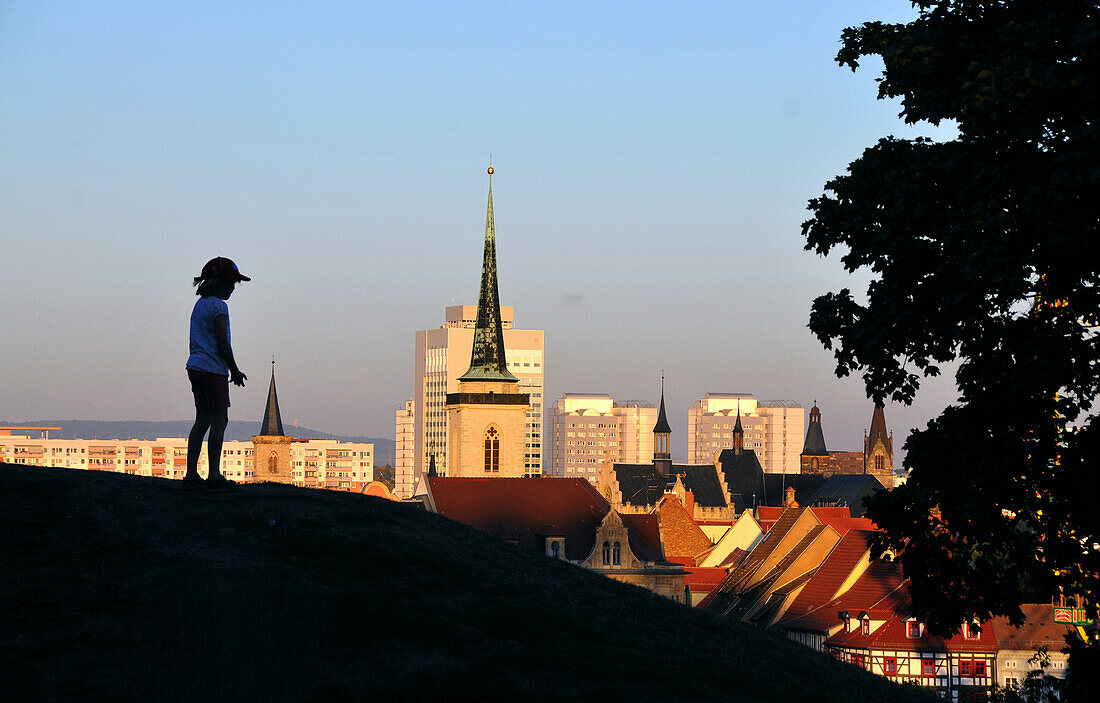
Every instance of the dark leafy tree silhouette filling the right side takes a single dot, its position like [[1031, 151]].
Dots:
[[984, 255]]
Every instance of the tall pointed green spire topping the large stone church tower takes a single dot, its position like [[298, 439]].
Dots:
[[488, 361]]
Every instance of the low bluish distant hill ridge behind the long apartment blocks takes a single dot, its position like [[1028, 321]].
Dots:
[[238, 432]]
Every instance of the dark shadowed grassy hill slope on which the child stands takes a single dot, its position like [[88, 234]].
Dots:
[[130, 589]]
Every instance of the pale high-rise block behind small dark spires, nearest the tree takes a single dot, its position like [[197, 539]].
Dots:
[[775, 430]]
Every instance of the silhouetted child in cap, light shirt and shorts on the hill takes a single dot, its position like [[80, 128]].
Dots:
[[211, 367]]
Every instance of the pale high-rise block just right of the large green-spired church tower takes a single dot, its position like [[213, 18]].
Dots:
[[584, 430]]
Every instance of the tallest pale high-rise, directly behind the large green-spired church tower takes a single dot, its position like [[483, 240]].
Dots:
[[443, 356]]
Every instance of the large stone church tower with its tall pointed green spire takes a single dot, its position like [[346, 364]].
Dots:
[[487, 418]]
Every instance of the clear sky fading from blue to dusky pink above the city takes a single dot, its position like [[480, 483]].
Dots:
[[653, 169]]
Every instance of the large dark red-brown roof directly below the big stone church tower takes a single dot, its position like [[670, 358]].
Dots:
[[526, 511]]
